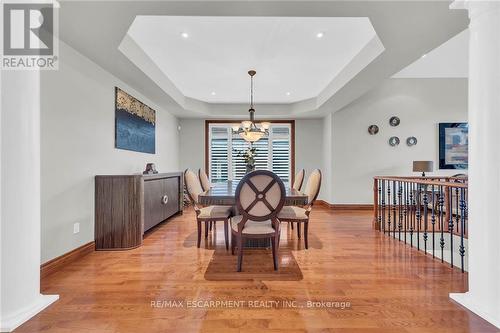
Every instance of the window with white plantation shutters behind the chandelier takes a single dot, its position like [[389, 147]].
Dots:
[[274, 152]]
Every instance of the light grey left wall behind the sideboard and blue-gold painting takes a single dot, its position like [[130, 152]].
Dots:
[[77, 126]]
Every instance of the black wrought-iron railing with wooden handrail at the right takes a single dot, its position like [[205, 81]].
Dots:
[[429, 213]]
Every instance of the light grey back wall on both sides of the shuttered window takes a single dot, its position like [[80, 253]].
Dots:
[[308, 144]]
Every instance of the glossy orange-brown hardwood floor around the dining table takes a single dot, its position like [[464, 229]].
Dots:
[[389, 287]]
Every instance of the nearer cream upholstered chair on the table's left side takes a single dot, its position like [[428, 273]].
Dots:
[[207, 214]]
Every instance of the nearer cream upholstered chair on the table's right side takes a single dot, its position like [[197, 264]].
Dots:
[[300, 215]]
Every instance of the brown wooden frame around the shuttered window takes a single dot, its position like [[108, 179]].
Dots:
[[209, 122]]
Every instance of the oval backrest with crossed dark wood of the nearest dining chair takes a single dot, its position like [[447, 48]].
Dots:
[[260, 195]]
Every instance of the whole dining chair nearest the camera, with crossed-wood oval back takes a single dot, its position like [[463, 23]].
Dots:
[[260, 196]]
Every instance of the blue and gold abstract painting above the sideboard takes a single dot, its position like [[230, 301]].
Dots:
[[134, 124]]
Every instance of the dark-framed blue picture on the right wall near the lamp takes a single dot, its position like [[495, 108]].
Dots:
[[453, 146]]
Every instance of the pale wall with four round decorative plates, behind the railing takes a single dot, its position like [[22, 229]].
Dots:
[[420, 104]]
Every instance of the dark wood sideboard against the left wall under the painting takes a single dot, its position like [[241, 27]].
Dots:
[[126, 206]]
